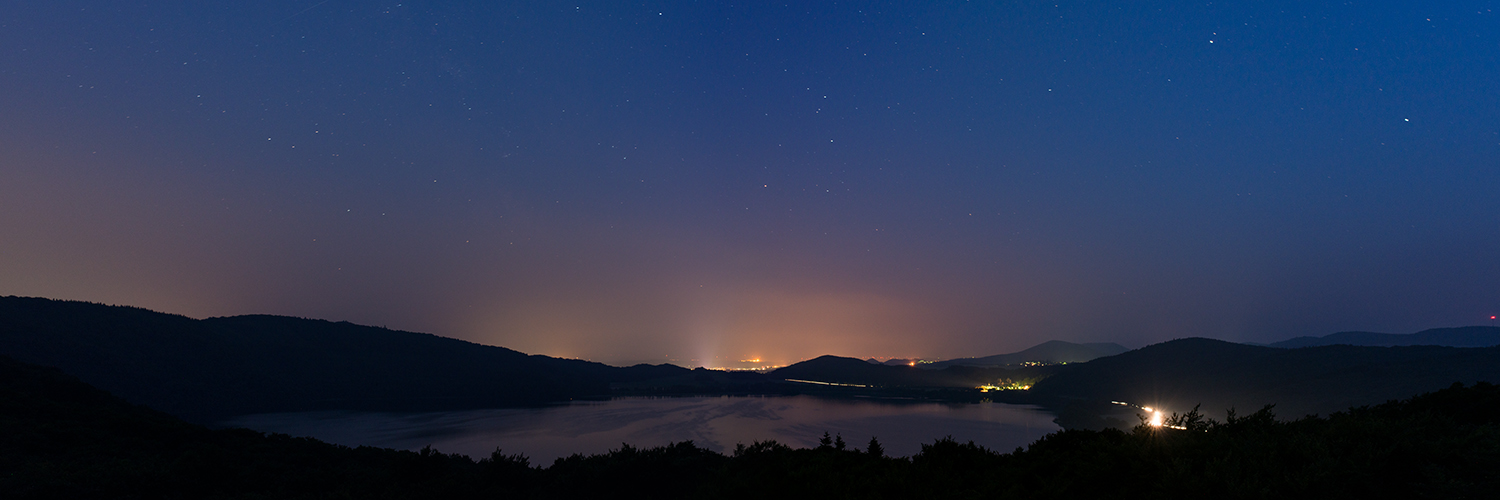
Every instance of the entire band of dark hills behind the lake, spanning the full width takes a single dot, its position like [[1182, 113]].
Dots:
[[211, 370]]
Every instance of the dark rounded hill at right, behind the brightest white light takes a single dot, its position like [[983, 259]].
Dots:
[[1181, 375]]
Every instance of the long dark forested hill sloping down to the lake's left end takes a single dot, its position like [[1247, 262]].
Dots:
[[209, 370]]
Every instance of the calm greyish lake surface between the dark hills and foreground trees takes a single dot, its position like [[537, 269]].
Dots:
[[713, 423]]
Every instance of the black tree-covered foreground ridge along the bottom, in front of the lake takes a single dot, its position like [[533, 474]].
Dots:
[[68, 441]]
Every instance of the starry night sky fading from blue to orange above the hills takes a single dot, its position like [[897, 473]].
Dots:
[[712, 181]]
